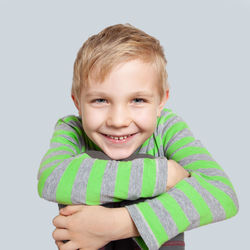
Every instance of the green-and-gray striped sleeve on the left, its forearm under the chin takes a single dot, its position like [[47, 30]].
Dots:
[[68, 175]]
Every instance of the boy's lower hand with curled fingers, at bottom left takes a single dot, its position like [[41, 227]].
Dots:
[[84, 227]]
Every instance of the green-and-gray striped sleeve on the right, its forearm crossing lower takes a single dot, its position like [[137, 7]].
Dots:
[[206, 197]]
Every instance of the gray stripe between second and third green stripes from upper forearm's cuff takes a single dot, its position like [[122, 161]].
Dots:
[[108, 182]]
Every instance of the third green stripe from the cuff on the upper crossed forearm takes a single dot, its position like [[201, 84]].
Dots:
[[93, 192]]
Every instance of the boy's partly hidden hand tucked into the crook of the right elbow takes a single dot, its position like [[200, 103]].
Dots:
[[175, 173]]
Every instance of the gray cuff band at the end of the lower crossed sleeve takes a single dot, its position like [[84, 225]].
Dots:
[[143, 227]]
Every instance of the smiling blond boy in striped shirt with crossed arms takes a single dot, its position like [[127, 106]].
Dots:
[[120, 89]]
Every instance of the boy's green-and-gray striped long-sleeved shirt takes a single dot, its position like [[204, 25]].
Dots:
[[68, 175]]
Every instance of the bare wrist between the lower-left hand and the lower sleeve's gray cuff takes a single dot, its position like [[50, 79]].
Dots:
[[124, 226]]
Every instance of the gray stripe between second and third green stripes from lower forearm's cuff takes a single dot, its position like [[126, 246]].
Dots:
[[187, 207]]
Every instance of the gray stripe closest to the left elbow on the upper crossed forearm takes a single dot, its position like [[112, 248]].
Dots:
[[49, 190]]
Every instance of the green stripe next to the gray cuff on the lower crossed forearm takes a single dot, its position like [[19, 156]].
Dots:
[[153, 222]]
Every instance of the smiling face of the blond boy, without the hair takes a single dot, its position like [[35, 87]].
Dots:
[[120, 113]]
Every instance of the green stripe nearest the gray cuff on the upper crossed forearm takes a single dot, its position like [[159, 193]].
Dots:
[[149, 177]]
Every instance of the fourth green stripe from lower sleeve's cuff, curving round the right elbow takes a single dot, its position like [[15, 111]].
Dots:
[[225, 200]]
